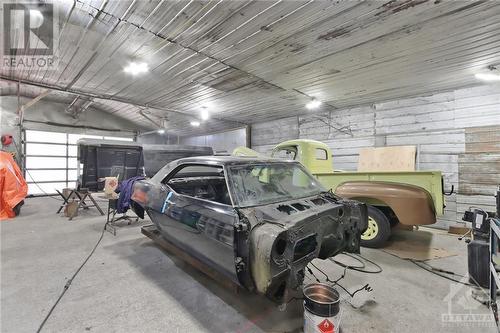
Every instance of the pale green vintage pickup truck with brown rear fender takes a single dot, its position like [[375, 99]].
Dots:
[[407, 198]]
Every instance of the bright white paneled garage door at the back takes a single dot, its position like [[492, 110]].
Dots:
[[51, 160]]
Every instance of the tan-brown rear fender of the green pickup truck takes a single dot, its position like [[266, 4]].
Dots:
[[411, 204]]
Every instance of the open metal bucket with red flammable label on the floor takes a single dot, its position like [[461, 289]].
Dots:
[[321, 309]]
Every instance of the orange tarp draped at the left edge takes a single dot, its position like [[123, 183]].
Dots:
[[13, 187]]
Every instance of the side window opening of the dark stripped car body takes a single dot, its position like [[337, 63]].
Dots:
[[202, 182]]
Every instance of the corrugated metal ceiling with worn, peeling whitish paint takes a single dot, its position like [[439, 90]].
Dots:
[[253, 61]]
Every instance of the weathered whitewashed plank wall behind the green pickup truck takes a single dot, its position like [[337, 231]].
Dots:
[[445, 126]]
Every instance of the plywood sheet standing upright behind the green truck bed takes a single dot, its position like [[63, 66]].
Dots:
[[397, 158]]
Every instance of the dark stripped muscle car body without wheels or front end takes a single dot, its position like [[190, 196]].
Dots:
[[257, 221]]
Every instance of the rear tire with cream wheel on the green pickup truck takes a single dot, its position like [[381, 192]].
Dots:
[[378, 231]]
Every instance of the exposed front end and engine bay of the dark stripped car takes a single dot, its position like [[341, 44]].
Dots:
[[284, 237]]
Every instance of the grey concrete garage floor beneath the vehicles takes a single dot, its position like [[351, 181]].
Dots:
[[130, 285]]
